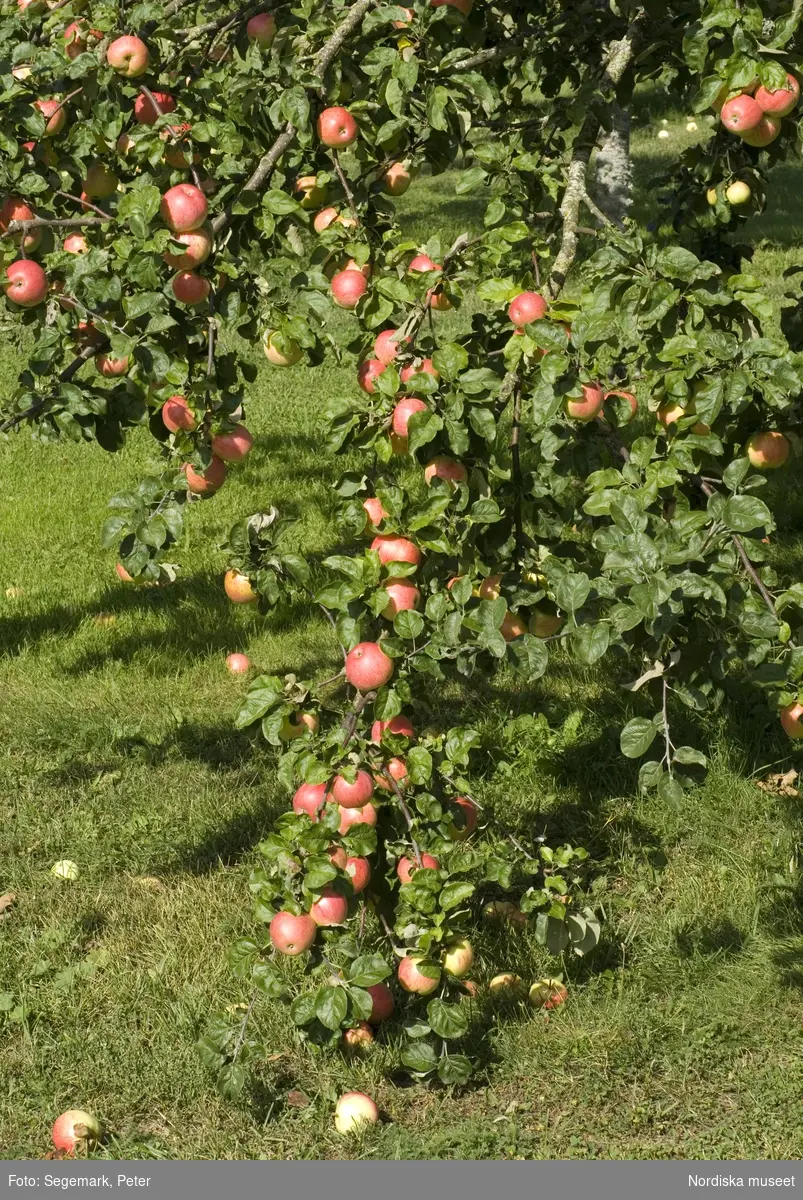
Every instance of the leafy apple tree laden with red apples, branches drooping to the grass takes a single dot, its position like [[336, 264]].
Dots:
[[583, 473]]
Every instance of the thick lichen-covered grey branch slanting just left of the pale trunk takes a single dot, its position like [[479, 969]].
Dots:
[[618, 61]]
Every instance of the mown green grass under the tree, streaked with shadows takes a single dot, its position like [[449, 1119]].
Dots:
[[682, 1036]]
